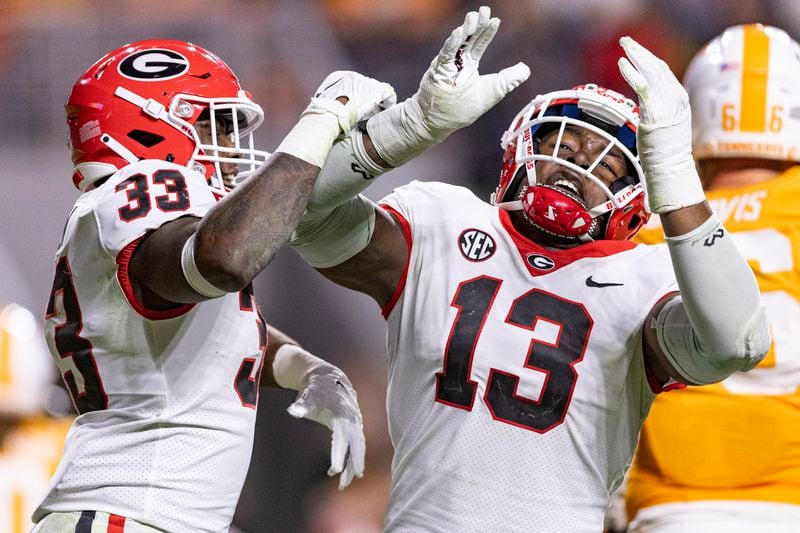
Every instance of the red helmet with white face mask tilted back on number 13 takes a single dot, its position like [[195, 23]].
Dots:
[[602, 111]]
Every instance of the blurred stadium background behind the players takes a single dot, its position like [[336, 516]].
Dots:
[[281, 50]]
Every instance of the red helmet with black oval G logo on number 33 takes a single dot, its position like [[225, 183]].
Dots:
[[141, 101]]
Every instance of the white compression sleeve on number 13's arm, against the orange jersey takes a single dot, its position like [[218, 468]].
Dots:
[[718, 326]]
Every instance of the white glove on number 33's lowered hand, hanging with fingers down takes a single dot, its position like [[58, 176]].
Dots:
[[327, 397]]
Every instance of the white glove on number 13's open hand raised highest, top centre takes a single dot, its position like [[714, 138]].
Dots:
[[451, 95]]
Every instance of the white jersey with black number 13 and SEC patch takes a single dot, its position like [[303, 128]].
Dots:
[[517, 383]]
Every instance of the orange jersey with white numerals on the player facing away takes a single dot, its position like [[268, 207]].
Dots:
[[738, 439]]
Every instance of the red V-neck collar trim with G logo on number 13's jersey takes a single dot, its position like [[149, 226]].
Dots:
[[560, 258]]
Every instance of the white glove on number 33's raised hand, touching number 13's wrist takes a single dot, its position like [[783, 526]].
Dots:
[[326, 119]]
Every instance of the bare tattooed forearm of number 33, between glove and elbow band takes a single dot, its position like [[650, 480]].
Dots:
[[243, 232]]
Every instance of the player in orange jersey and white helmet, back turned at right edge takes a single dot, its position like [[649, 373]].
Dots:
[[726, 457]]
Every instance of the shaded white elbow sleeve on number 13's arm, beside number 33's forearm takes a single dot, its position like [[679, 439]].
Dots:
[[326, 239]]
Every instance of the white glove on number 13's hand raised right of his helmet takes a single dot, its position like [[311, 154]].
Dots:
[[664, 137]]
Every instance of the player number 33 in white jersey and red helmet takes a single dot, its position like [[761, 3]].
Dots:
[[152, 319]]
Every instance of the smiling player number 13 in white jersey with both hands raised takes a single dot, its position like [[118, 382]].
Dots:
[[528, 336]]
